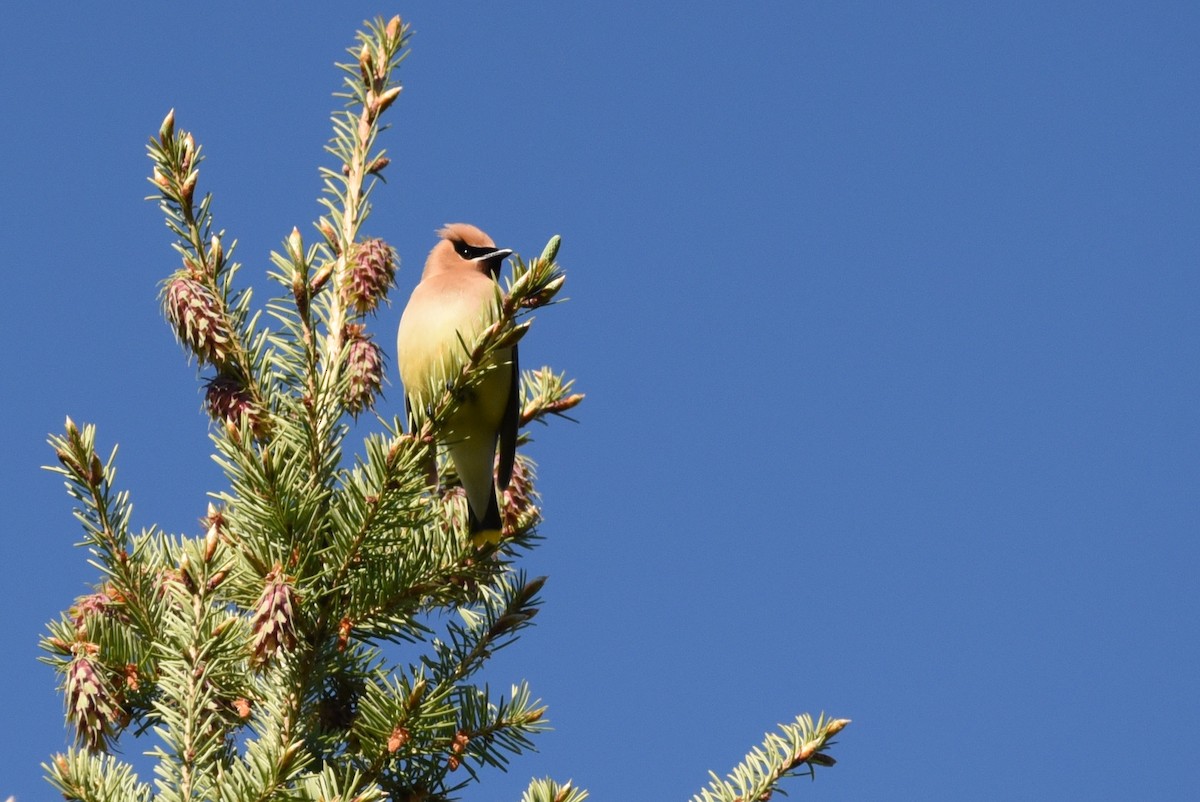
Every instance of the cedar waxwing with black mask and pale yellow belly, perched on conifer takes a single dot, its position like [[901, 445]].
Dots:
[[454, 302]]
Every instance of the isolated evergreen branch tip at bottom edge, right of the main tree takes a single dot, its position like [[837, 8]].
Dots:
[[794, 752]]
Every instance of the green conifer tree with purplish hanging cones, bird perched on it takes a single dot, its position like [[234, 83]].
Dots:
[[250, 657]]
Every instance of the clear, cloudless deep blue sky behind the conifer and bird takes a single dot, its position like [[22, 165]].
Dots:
[[887, 315]]
